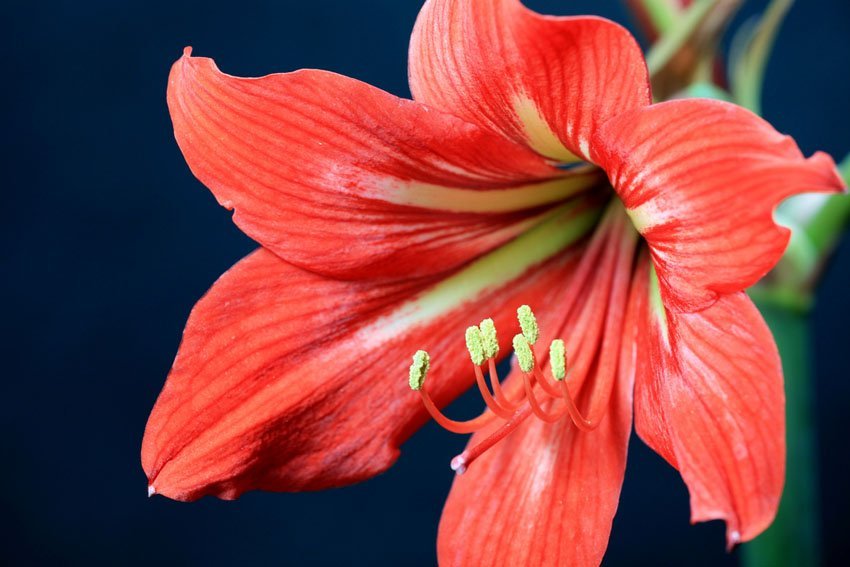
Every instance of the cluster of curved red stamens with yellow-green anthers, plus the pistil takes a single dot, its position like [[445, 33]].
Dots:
[[543, 395]]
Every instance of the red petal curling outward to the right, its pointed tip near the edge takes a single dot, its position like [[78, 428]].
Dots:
[[701, 179]]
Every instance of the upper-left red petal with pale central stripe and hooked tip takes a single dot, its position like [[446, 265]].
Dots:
[[344, 179]]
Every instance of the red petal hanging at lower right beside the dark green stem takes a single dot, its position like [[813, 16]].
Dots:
[[709, 399]]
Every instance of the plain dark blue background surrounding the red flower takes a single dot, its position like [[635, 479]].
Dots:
[[109, 240]]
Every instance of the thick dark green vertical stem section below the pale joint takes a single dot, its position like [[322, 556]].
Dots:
[[792, 539]]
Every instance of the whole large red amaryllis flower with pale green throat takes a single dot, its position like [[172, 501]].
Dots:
[[530, 168]]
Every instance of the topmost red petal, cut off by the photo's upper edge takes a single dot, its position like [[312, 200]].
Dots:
[[545, 81]]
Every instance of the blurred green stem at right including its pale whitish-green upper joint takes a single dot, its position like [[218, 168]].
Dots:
[[785, 302]]
